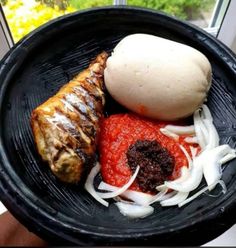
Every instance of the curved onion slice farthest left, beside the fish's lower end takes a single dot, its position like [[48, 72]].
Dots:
[[89, 185]]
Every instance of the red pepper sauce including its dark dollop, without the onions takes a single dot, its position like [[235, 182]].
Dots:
[[133, 140]]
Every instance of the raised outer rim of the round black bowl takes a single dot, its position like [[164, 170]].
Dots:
[[6, 186]]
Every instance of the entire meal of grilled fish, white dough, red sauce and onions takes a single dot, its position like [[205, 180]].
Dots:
[[141, 160]]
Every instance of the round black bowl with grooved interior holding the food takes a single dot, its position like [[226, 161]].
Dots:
[[36, 68]]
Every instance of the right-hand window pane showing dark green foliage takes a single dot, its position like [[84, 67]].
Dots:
[[198, 12]]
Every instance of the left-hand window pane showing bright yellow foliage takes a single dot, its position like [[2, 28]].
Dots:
[[24, 16]]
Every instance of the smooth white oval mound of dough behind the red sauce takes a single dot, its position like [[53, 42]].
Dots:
[[156, 77]]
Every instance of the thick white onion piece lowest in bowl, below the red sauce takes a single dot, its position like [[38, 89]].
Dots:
[[134, 211]]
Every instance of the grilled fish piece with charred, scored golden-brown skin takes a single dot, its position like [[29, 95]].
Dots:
[[66, 126]]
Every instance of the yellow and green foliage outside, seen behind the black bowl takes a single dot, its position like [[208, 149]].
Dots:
[[25, 15]]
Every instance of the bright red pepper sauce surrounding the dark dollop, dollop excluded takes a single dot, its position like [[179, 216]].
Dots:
[[120, 131]]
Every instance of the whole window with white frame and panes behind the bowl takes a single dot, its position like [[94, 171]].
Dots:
[[24, 16]]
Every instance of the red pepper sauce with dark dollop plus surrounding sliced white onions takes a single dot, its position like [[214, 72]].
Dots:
[[125, 137]]
